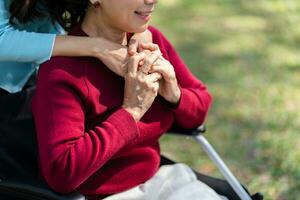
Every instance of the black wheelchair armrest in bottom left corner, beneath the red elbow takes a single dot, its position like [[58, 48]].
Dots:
[[34, 191]]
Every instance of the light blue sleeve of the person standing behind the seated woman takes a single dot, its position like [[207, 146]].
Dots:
[[22, 46]]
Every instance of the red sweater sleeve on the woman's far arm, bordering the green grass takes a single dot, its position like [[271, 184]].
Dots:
[[195, 100]]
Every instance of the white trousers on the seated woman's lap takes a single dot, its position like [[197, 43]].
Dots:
[[171, 182]]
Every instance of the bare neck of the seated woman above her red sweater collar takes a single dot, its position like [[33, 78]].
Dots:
[[95, 26]]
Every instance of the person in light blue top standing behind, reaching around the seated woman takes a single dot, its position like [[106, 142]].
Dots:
[[28, 37]]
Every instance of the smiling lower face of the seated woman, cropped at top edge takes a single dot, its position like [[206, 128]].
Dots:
[[127, 15]]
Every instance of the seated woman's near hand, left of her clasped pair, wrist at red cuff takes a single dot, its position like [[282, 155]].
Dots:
[[140, 88]]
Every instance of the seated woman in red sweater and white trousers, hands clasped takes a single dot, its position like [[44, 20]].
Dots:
[[98, 132]]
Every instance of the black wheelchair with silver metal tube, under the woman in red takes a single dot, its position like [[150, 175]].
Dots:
[[19, 178]]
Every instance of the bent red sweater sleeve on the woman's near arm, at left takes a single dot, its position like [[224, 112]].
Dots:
[[69, 151]]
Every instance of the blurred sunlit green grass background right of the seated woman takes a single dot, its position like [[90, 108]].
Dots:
[[248, 54]]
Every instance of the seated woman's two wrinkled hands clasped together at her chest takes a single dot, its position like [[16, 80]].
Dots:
[[148, 74]]
